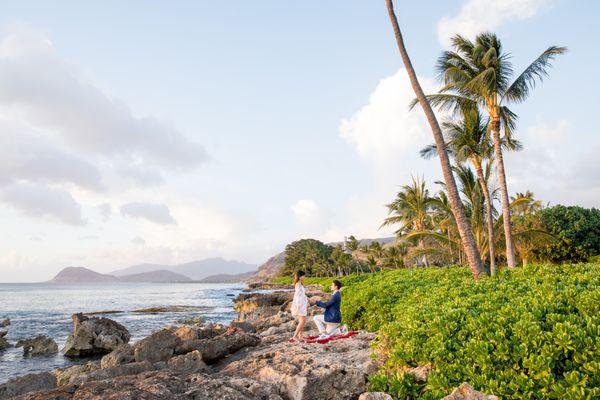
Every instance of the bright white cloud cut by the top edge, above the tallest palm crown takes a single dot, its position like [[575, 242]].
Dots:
[[476, 16]]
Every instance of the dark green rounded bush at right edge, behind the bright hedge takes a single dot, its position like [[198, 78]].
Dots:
[[577, 230]]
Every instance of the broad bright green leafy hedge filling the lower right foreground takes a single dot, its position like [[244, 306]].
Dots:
[[529, 333]]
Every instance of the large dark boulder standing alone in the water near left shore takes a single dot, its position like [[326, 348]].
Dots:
[[94, 335]]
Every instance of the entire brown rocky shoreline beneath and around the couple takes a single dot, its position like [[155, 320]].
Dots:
[[249, 359]]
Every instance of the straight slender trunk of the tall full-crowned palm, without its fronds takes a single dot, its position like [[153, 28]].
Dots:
[[510, 245]]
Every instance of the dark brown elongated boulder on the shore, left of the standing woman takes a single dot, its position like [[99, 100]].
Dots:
[[219, 346]]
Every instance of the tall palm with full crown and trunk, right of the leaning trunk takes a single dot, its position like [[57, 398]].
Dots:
[[479, 73]]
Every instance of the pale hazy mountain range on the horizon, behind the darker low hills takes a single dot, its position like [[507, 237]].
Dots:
[[195, 270]]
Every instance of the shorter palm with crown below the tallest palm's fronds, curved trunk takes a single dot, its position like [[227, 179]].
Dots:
[[467, 140]]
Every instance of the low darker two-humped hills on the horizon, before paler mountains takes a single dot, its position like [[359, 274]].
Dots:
[[85, 275]]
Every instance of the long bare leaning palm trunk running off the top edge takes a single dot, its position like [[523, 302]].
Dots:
[[464, 229]]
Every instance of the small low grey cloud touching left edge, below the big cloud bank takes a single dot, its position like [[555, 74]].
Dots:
[[41, 201]]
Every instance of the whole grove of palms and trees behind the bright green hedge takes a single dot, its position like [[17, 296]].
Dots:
[[488, 228]]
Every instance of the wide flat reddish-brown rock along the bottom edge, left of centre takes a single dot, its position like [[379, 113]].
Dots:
[[164, 384]]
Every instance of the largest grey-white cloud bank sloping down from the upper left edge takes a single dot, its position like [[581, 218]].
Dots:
[[50, 93]]
